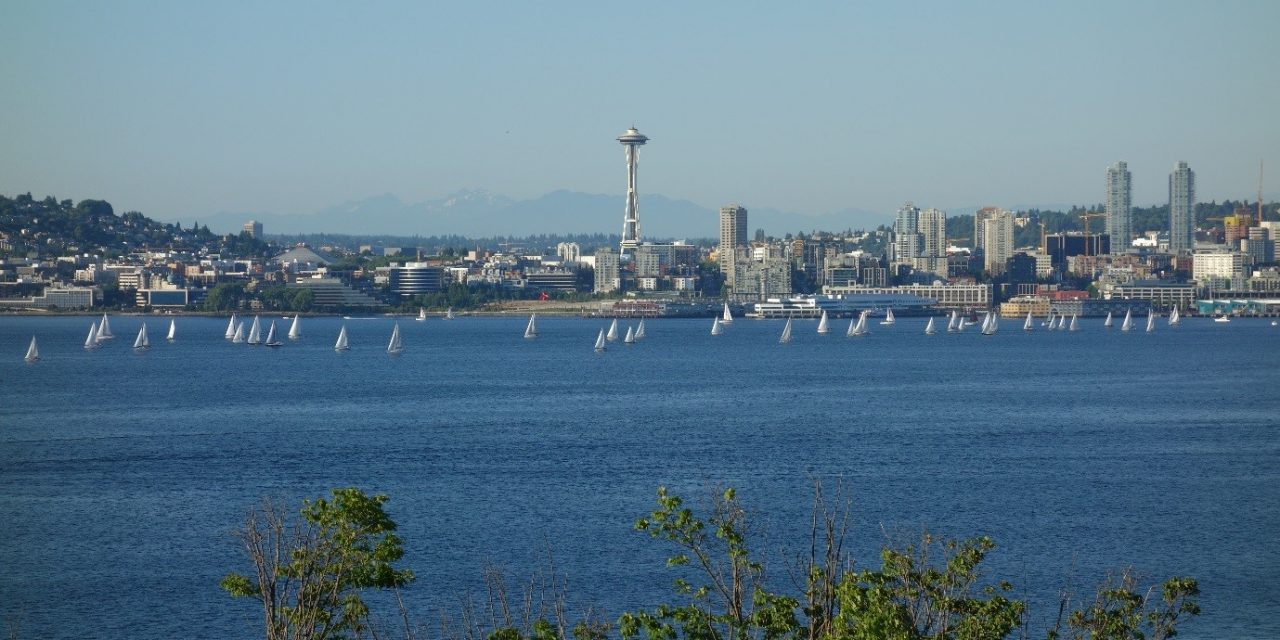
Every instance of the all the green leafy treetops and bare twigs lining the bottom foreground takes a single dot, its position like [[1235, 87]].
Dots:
[[309, 582]]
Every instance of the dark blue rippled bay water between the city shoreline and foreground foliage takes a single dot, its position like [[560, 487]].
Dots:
[[122, 474]]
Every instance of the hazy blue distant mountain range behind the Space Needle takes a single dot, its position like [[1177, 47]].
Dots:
[[478, 213]]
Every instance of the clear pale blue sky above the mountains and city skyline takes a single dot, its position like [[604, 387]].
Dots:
[[181, 109]]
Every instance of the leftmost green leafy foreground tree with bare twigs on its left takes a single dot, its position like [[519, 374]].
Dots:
[[310, 574]]
